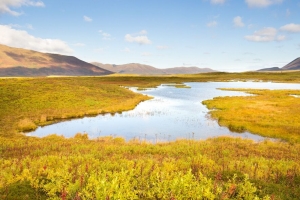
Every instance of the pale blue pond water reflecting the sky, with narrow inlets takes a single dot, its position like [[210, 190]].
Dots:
[[173, 113]]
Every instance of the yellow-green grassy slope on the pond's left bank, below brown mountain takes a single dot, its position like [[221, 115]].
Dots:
[[26, 103]]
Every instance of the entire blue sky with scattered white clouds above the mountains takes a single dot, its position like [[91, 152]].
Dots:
[[224, 35]]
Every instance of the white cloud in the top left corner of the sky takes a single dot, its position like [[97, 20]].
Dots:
[[6, 5]]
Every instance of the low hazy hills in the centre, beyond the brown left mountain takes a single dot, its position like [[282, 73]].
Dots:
[[135, 68]]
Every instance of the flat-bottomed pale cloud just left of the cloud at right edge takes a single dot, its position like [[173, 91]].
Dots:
[[267, 34]]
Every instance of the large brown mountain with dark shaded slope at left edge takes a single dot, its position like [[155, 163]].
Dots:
[[22, 62]]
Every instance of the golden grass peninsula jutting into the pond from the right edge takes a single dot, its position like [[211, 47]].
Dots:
[[270, 113]]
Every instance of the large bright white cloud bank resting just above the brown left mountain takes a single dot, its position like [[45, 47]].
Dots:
[[21, 39]]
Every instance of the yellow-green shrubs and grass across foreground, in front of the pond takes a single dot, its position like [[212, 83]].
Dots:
[[108, 168]]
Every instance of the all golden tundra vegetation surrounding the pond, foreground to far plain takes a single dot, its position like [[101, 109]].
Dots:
[[55, 167]]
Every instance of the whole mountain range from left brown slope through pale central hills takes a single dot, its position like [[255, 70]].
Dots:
[[22, 62]]
